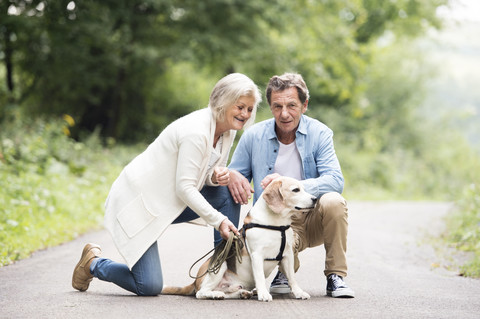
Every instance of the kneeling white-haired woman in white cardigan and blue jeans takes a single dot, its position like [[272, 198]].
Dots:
[[180, 176]]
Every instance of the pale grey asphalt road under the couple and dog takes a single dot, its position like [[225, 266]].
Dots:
[[392, 269]]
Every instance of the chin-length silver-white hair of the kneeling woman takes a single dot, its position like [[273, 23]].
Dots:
[[228, 90]]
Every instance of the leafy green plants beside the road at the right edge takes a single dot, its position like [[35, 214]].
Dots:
[[464, 229]]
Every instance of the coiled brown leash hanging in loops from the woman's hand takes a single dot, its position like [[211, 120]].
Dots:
[[222, 252]]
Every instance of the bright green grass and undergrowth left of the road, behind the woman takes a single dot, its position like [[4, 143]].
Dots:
[[53, 188]]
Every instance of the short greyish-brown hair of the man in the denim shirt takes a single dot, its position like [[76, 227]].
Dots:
[[285, 81]]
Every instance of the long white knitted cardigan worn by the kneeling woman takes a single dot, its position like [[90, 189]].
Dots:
[[157, 185]]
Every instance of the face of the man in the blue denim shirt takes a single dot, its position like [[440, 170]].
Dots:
[[287, 109]]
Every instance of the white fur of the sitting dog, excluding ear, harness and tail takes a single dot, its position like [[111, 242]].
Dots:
[[261, 244]]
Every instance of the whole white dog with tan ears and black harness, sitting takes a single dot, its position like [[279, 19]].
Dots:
[[269, 242]]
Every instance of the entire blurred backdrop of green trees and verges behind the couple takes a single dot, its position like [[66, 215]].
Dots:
[[86, 85]]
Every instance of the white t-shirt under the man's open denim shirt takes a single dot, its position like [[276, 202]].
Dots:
[[288, 161]]
